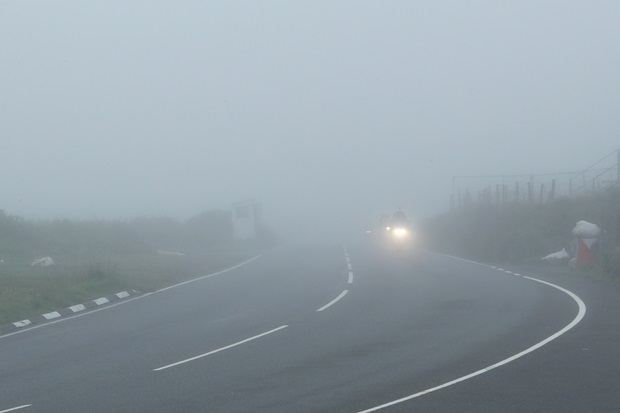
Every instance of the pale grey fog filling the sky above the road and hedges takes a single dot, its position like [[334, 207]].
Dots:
[[327, 113]]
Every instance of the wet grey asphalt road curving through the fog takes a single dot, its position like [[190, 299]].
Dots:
[[320, 329]]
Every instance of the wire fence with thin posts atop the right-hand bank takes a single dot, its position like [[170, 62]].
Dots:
[[535, 188]]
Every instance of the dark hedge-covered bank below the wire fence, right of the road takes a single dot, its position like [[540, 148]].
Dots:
[[520, 233]]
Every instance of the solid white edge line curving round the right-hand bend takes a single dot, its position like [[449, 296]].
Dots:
[[580, 314]]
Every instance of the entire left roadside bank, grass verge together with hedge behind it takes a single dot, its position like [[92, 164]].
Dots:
[[97, 258]]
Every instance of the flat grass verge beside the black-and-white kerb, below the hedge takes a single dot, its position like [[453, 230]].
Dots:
[[27, 291]]
